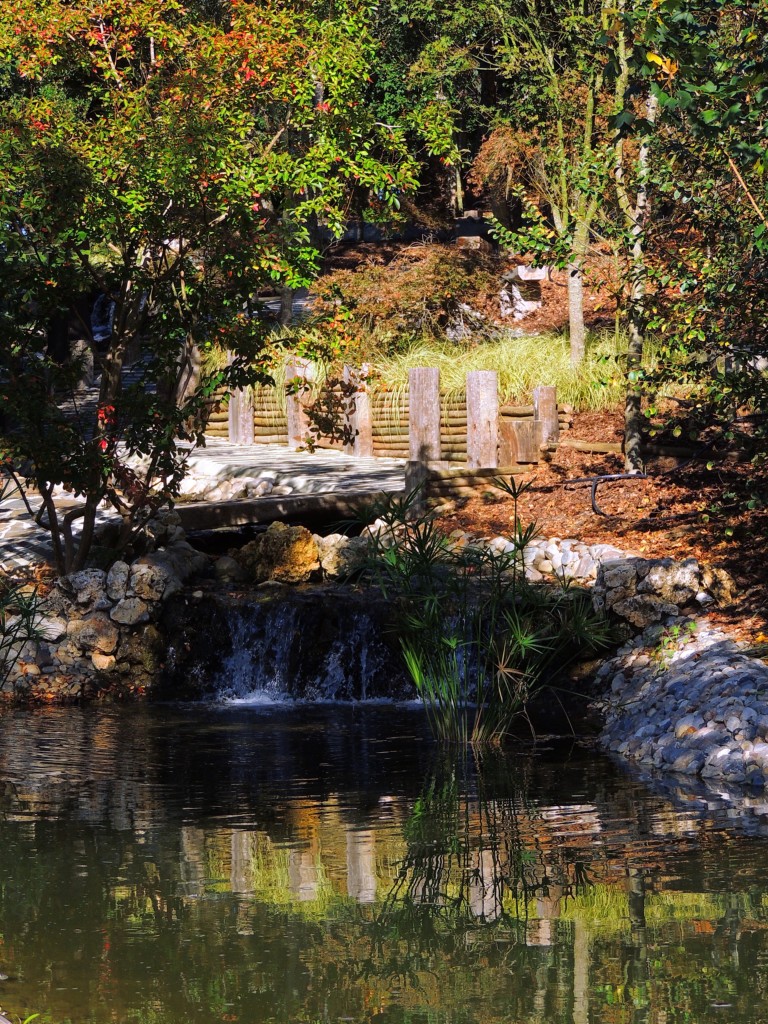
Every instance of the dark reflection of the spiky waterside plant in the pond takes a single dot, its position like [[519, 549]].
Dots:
[[471, 868]]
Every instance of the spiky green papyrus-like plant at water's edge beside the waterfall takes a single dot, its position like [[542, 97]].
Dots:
[[480, 642]]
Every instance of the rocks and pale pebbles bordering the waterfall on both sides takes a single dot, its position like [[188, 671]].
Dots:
[[106, 633]]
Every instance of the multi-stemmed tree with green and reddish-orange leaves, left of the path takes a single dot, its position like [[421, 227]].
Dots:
[[174, 161]]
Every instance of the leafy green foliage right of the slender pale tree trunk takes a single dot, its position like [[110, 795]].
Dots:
[[710, 303]]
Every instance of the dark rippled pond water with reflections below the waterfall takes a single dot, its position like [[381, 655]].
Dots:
[[307, 865]]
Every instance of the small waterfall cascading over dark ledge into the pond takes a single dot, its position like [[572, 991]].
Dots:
[[283, 645]]
